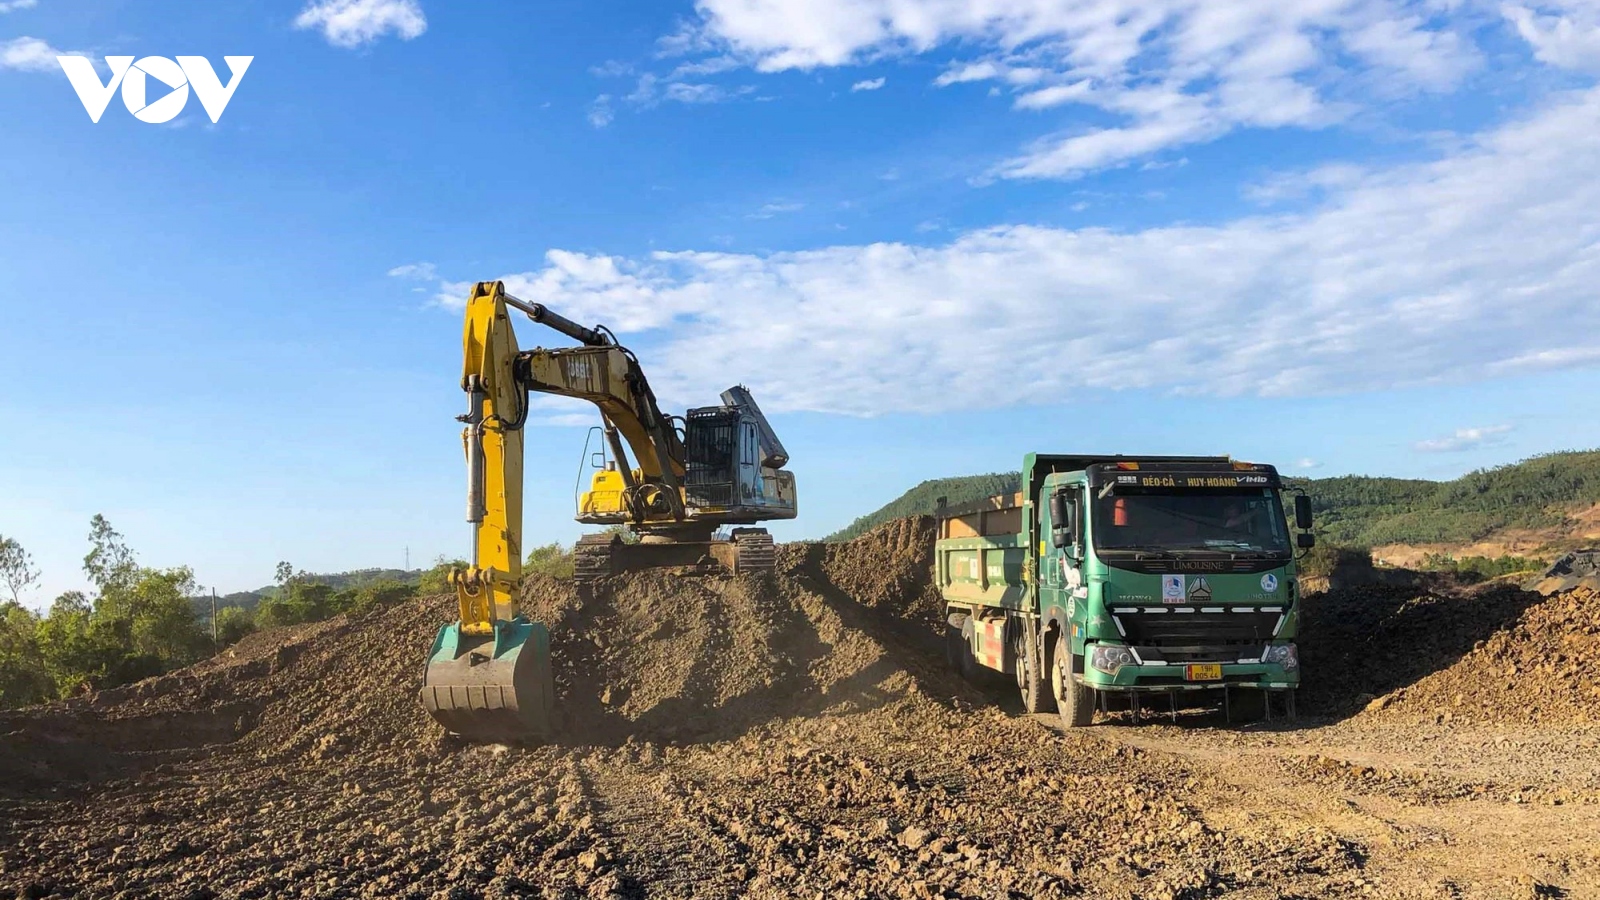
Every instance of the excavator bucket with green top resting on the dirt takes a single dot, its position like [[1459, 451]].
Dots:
[[494, 688]]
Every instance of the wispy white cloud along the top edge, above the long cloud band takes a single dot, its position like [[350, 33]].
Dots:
[[1172, 71]]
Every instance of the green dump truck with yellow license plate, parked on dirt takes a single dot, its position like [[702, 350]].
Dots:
[[1127, 577]]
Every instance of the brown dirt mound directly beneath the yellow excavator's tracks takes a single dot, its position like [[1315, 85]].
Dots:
[[660, 657]]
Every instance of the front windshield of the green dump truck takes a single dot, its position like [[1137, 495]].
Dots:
[[1250, 521]]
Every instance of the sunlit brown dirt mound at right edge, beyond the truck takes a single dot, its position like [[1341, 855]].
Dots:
[[1543, 667]]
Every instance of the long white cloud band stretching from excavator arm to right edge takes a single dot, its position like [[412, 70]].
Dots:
[[1417, 275]]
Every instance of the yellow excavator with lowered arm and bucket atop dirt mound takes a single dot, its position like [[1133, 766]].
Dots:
[[690, 480]]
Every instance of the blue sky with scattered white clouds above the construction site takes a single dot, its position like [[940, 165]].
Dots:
[[1343, 236]]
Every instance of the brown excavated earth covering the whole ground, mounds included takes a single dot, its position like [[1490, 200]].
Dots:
[[799, 736]]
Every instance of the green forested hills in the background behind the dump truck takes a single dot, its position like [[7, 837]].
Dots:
[[1362, 510]]
